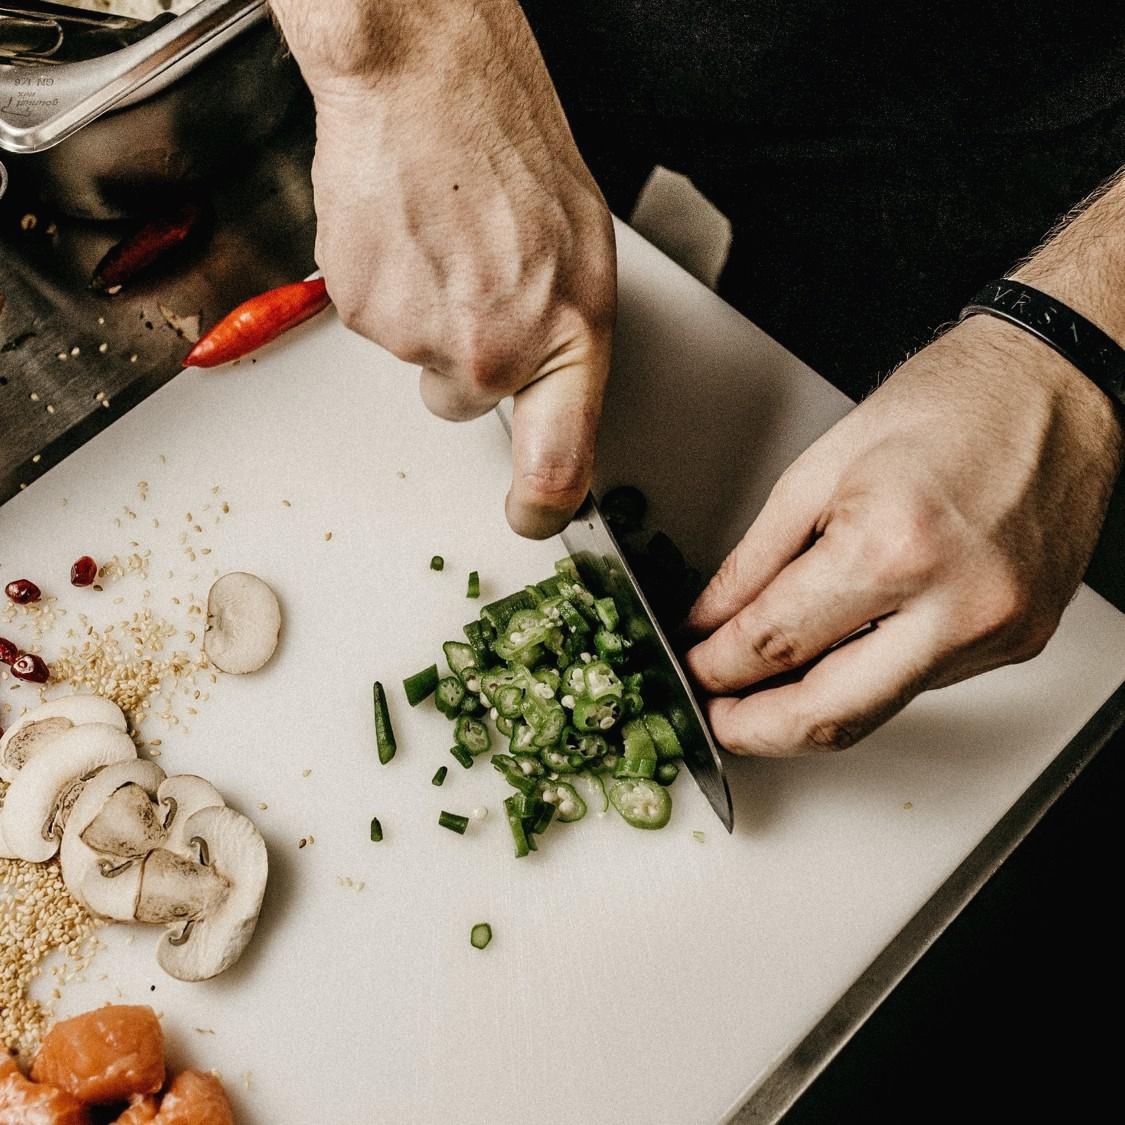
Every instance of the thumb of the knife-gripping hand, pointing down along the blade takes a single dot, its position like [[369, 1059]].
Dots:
[[554, 437]]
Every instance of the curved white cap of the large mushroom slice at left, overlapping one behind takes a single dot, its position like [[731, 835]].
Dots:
[[37, 791]]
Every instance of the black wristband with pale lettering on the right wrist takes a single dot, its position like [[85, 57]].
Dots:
[[1097, 356]]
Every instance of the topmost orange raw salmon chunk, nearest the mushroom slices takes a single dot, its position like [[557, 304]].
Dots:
[[105, 1056]]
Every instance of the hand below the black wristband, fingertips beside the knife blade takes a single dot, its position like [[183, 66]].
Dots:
[[957, 509]]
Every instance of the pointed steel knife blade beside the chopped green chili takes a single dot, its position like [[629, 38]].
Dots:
[[604, 569]]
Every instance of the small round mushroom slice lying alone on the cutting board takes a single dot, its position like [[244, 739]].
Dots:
[[244, 622]]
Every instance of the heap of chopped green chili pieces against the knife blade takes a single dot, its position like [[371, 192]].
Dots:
[[560, 673]]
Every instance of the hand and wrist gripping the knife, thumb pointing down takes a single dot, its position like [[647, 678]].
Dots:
[[458, 227]]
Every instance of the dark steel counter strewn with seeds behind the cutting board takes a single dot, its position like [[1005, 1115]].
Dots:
[[52, 398]]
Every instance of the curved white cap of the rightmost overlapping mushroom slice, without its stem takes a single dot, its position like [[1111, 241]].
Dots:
[[236, 849]]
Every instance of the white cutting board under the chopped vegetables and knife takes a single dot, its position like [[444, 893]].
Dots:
[[634, 977]]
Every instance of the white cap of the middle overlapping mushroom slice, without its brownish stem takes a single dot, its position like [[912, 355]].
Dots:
[[113, 896]]
